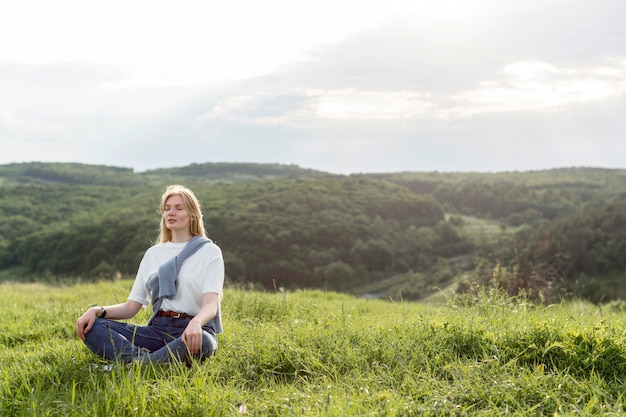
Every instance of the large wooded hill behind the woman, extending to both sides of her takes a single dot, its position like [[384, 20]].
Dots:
[[283, 231]]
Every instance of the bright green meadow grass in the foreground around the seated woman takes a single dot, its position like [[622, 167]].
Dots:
[[312, 353]]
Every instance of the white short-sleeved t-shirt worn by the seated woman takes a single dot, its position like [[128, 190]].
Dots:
[[199, 274]]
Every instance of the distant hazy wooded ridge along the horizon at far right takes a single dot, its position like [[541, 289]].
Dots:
[[534, 194]]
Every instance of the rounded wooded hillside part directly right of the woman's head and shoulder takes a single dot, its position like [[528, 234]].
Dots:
[[290, 231]]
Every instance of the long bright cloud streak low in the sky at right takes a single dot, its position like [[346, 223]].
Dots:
[[521, 86]]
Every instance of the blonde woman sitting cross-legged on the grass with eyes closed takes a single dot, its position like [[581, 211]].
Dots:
[[185, 294]]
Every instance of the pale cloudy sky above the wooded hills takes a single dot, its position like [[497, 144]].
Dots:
[[342, 86]]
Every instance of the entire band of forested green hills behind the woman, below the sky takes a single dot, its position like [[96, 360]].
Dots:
[[550, 234]]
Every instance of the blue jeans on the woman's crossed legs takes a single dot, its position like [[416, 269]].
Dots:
[[160, 342]]
